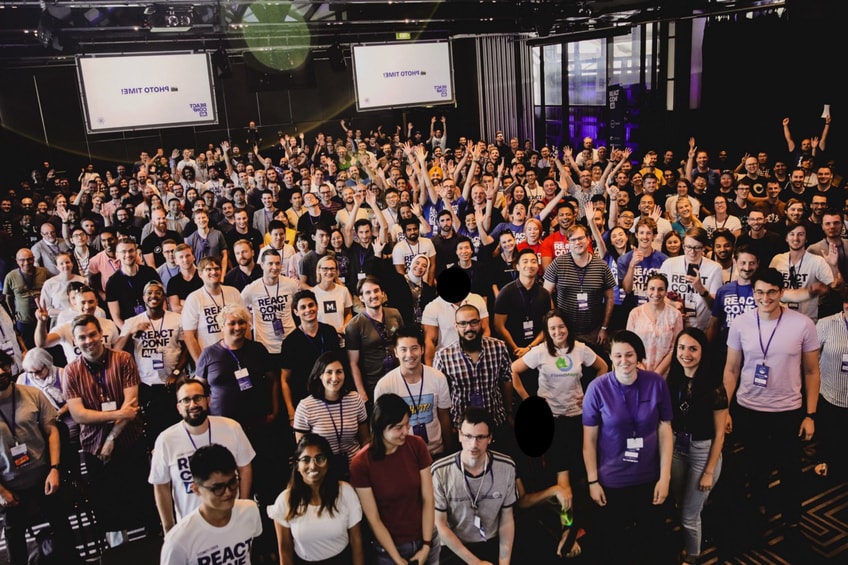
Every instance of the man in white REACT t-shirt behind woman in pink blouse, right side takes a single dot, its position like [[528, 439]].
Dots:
[[693, 280]]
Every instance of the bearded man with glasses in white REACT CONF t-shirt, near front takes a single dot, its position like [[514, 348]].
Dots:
[[169, 468]]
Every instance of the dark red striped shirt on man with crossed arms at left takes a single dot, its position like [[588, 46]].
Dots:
[[120, 372]]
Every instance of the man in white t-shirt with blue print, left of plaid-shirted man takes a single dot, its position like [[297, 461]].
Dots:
[[424, 388]]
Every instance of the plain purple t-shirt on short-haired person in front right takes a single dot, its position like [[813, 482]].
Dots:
[[622, 412]]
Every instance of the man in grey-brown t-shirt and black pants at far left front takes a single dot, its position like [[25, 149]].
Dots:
[[29, 471]]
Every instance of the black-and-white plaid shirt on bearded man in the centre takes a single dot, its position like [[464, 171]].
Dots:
[[467, 378]]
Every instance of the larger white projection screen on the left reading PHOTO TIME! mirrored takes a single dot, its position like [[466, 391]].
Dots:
[[132, 92]]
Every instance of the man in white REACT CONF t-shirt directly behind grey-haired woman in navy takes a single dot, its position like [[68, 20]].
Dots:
[[201, 308]]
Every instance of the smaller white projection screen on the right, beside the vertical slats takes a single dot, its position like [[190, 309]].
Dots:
[[397, 75]]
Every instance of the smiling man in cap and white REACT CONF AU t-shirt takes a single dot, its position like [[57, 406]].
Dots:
[[160, 355]]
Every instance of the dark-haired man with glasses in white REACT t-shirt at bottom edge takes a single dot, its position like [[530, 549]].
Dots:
[[222, 528]]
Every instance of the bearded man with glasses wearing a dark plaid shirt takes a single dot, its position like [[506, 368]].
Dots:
[[479, 371]]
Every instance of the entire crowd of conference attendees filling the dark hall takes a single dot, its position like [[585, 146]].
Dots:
[[316, 352]]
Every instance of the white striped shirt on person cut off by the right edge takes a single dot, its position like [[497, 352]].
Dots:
[[833, 337]]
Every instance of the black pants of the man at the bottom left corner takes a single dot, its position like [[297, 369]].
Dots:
[[34, 503]]
